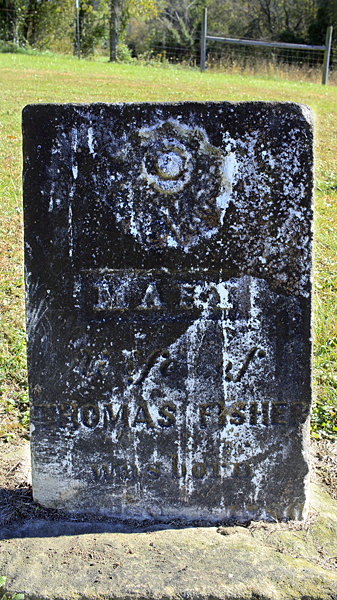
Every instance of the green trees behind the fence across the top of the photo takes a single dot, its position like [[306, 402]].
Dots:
[[166, 27]]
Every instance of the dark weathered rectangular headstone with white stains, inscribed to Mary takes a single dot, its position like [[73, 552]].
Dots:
[[168, 273]]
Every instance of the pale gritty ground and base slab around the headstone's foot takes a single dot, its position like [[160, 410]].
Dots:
[[51, 558]]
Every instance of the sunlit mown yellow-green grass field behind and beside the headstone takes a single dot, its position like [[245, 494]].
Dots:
[[31, 79]]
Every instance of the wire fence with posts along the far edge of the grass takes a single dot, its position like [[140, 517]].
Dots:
[[229, 58]]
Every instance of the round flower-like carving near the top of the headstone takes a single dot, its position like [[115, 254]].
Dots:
[[177, 188]]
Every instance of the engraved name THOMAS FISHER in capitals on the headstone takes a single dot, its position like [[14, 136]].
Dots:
[[108, 415]]
